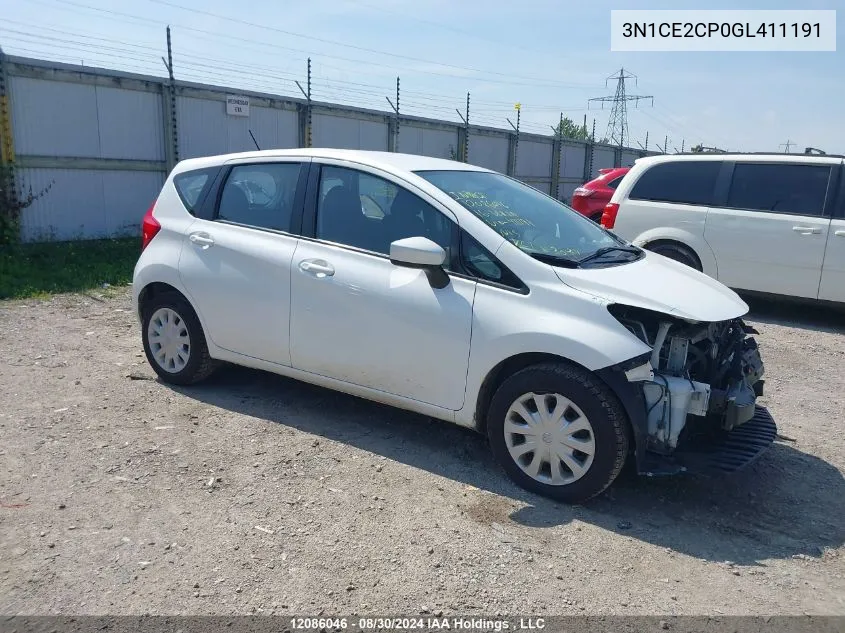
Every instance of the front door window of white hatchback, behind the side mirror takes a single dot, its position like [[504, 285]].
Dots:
[[365, 211]]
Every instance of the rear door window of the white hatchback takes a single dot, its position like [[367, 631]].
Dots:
[[260, 195]]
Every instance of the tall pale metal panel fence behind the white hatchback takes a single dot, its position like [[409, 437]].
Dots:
[[107, 139]]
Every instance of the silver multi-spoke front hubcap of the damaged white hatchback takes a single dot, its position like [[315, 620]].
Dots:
[[549, 438]]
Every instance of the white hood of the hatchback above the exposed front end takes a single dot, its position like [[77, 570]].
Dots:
[[661, 284]]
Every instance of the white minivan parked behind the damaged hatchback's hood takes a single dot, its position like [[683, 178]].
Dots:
[[770, 223]]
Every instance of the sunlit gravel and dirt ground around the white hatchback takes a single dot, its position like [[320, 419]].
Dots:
[[257, 494]]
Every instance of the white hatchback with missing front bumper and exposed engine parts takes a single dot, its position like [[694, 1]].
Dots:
[[456, 292]]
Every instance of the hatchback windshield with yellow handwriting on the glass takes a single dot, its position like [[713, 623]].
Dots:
[[536, 223]]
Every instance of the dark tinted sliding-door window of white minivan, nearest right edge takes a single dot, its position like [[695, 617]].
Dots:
[[779, 188]]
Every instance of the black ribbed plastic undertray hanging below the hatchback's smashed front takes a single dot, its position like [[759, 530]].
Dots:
[[710, 452]]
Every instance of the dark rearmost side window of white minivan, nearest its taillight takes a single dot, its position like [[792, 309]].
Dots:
[[682, 182]]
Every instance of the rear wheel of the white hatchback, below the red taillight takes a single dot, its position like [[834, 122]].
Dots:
[[172, 315]]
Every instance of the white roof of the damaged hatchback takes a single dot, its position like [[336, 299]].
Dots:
[[389, 161]]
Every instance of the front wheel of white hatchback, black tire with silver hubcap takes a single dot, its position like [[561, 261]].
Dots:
[[578, 395]]
